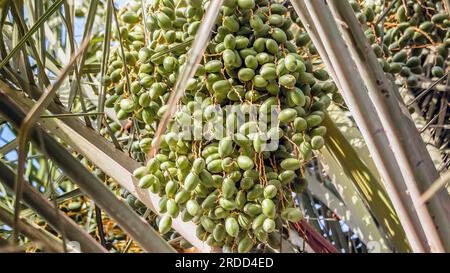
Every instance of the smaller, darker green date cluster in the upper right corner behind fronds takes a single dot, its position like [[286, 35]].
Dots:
[[416, 38]]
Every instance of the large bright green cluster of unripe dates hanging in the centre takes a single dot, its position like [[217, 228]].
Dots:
[[238, 194]]
